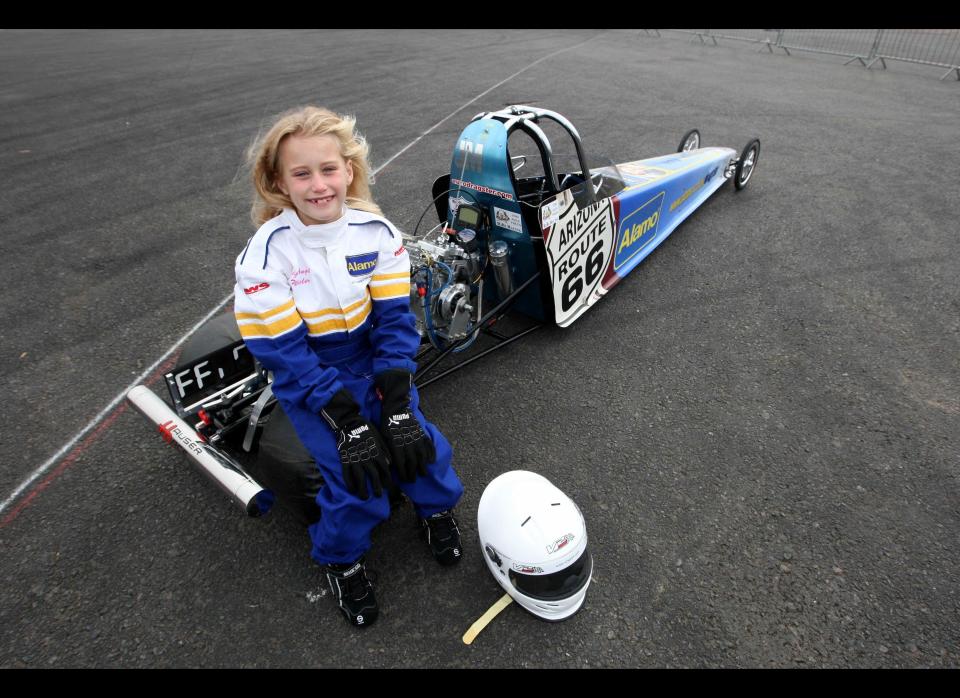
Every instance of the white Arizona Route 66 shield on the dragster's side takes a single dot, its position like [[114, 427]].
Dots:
[[579, 246]]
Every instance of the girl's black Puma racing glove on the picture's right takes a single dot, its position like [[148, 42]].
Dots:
[[410, 448]]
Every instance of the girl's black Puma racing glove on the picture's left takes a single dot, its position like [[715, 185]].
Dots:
[[362, 452]]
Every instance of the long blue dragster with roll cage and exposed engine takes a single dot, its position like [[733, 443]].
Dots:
[[514, 234]]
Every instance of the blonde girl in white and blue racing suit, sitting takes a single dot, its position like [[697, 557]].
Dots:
[[323, 301]]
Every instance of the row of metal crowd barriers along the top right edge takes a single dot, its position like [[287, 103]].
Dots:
[[933, 47]]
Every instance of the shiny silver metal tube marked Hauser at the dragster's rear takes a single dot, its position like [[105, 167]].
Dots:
[[219, 467]]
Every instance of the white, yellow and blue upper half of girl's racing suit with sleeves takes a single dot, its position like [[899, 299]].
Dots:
[[305, 291]]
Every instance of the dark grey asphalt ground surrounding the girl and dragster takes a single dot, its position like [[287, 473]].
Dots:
[[759, 424]]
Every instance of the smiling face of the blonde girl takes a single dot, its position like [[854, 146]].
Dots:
[[315, 177]]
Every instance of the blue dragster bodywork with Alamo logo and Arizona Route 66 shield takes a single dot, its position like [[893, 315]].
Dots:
[[588, 243]]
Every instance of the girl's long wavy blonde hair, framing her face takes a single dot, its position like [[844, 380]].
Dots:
[[264, 159]]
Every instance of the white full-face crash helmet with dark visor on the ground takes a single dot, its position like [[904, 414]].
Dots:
[[534, 541]]
